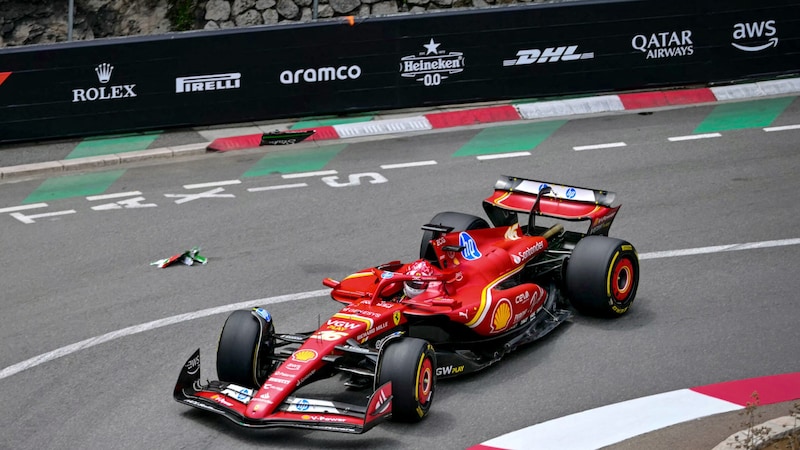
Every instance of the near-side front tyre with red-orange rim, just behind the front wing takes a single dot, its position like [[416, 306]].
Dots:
[[410, 364]]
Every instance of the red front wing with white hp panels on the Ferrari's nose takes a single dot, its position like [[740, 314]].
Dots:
[[230, 401]]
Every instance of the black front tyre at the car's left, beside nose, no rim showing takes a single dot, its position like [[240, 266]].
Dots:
[[237, 351]]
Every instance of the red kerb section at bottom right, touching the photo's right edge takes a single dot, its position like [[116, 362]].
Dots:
[[771, 389]]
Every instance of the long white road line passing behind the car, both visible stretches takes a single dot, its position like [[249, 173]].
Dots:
[[91, 342]]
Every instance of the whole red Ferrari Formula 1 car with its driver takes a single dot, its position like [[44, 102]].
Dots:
[[478, 292]]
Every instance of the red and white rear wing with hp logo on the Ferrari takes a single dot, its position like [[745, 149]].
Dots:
[[514, 195]]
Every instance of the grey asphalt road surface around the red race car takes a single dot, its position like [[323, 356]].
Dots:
[[698, 319]]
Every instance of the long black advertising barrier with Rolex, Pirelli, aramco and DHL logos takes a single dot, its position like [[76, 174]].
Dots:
[[331, 67]]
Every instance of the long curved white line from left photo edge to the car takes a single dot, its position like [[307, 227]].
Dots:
[[129, 331]]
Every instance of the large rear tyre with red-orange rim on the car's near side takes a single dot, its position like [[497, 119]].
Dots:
[[602, 276]]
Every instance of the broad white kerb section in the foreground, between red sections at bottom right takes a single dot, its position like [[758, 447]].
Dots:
[[631, 418]]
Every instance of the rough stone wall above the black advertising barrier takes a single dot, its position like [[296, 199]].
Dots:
[[26, 22]]
